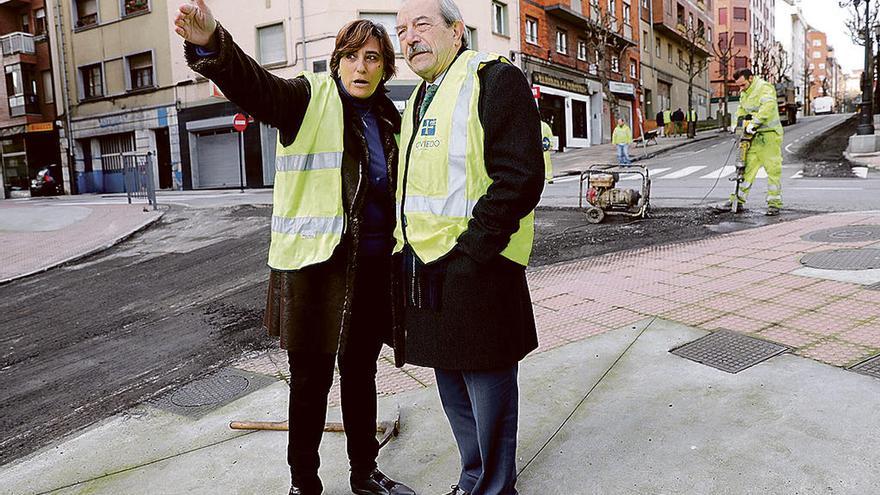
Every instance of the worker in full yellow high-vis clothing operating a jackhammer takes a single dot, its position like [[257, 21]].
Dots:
[[760, 115]]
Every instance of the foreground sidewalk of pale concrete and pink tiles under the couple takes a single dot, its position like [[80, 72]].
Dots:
[[606, 408]]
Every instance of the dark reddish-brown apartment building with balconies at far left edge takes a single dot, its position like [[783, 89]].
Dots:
[[28, 131]]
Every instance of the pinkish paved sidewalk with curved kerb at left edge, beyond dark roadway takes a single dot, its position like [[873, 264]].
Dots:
[[40, 234]]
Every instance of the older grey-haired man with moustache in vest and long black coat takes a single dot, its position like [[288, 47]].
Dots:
[[470, 176]]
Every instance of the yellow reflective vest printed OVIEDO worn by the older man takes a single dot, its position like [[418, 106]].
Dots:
[[443, 172]]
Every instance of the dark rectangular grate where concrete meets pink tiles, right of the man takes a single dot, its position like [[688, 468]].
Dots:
[[729, 351]]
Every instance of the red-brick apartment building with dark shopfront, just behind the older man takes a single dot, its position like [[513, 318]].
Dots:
[[561, 57]]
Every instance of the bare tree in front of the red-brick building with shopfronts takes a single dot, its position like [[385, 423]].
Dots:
[[608, 46]]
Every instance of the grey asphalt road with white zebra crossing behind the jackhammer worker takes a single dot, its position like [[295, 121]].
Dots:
[[684, 176]]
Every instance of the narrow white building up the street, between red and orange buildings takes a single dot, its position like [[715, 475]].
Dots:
[[791, 32]]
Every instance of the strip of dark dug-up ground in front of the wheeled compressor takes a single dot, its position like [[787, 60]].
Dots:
[[563, 234]]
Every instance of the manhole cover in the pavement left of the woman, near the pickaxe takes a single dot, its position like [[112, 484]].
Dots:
[[204, 395]]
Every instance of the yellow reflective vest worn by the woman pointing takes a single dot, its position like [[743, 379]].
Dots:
[[307, 214]]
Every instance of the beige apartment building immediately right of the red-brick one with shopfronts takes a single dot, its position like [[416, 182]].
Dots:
[[671, 29]]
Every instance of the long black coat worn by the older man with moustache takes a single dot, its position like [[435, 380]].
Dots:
[[485, 318]]
